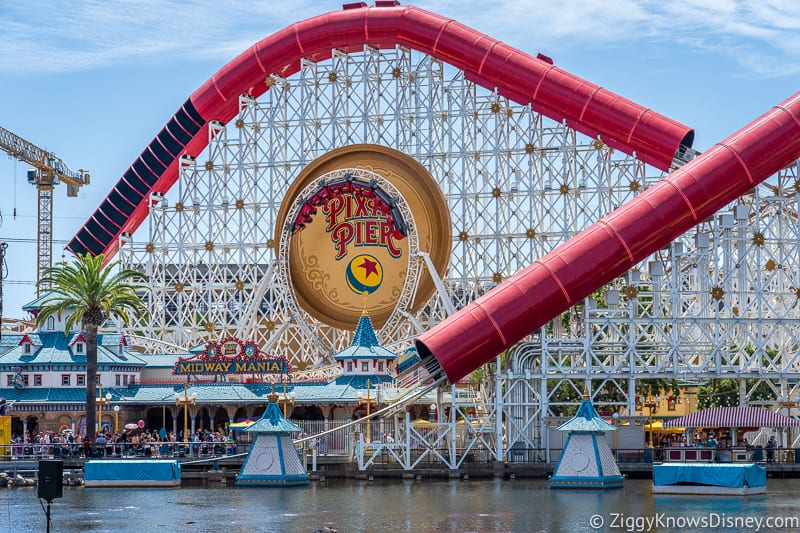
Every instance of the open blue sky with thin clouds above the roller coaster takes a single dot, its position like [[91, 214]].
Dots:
[[94, 81]]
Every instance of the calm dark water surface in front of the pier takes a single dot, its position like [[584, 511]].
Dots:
[[379, 506]]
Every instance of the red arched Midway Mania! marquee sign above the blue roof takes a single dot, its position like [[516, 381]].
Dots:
[[232, 356]]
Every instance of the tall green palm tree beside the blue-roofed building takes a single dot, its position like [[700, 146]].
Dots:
[[88, 294]]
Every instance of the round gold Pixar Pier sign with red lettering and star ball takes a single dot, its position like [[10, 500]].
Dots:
[[348, 248]]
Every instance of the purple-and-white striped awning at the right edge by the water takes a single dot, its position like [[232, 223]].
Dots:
[[738, 417]]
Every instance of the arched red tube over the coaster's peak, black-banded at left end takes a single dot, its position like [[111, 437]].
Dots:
[[521, 77]]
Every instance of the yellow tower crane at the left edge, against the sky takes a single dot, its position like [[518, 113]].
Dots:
[[48, 171]]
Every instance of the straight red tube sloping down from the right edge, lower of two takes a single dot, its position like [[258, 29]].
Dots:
[[616, 243]]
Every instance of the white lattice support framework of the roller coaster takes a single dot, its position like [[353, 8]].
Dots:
[[722, 301]]
